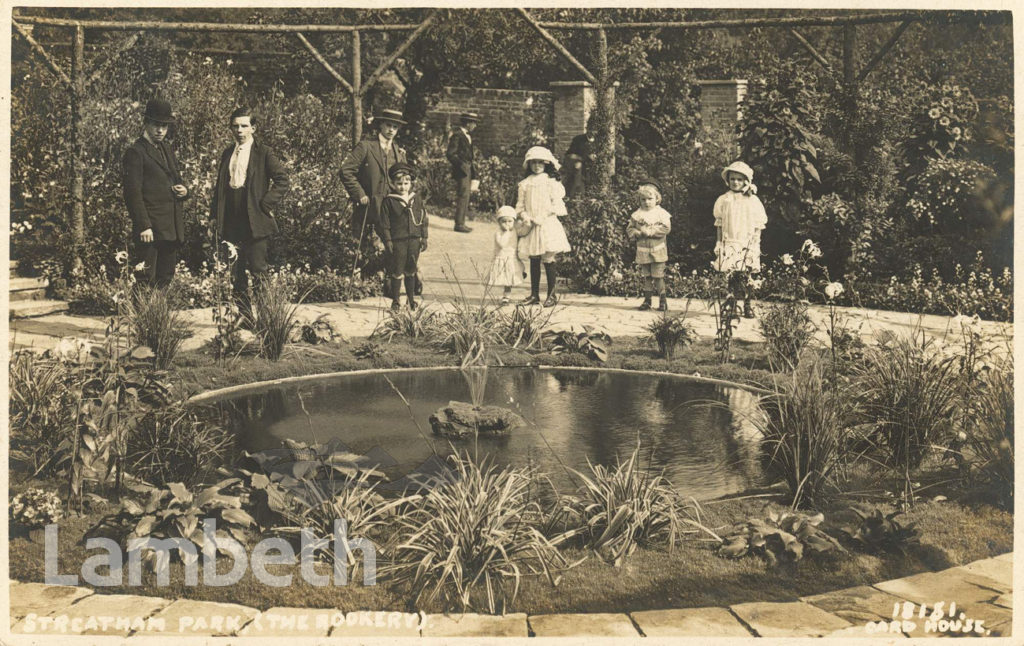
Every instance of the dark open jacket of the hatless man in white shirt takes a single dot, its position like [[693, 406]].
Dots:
[[267, 184]]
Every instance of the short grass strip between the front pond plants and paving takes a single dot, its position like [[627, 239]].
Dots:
[[692, 576]]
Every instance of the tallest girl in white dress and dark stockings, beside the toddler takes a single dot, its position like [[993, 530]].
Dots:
[[541, 202]]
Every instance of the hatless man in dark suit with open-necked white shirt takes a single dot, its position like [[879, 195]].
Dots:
[[251, 181]]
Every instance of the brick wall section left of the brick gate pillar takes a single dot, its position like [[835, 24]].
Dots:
[[504, 114]]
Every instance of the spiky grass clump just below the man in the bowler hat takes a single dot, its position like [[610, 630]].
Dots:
[[155, 323]]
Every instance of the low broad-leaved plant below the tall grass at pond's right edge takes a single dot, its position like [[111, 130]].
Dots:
[[786, 537]]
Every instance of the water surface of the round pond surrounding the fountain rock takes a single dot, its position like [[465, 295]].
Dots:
[[701, 435]]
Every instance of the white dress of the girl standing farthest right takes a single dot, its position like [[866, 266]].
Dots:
[[741, 218]]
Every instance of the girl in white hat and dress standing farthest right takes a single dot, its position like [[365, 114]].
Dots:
[[740, 219]]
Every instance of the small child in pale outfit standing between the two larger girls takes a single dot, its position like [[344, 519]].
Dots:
[[650, 227]]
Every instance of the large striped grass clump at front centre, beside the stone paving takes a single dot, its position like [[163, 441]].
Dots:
[[470, 542]]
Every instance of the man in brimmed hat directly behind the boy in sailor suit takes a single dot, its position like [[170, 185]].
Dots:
[[365, 171]]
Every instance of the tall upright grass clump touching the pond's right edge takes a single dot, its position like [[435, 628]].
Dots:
[[807, 436]]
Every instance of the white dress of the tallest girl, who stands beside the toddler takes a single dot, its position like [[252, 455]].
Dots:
[[542, 199]]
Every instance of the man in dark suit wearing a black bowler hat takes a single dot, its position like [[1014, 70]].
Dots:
[[154, 194]]
